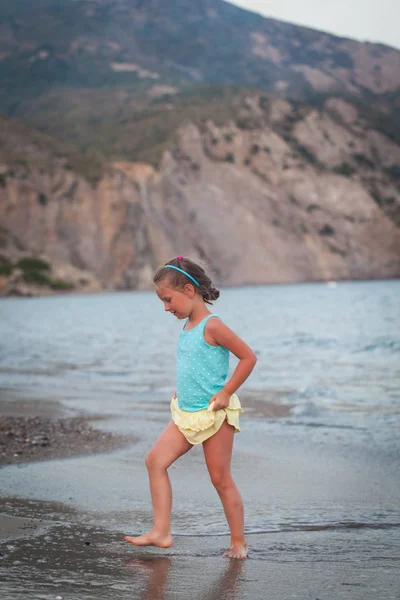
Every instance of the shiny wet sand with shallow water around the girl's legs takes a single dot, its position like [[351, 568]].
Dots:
[[321, 520]]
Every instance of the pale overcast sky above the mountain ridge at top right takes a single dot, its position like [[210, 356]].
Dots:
[[364, 20]]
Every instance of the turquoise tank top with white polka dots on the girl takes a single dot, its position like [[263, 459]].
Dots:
[[201, 368]]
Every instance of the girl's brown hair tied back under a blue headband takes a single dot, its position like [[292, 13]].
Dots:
[[178, 280]]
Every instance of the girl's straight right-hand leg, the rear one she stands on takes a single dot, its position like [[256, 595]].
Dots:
[[218, 454]]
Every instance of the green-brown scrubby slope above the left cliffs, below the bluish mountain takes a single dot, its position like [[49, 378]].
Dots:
[[90, 129]]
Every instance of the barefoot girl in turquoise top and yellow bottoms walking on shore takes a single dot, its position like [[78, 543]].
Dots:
[[205, 408]]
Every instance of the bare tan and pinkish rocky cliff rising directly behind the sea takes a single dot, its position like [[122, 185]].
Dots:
[[287, 193]]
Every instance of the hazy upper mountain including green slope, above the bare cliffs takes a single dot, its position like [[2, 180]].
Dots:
[[89, 72]]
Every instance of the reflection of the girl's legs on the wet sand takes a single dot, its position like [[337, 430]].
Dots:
[[225, 587]]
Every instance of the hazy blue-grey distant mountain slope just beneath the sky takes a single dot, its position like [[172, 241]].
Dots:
[[109, 42]]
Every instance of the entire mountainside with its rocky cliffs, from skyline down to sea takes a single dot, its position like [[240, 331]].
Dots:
[[134, 130]]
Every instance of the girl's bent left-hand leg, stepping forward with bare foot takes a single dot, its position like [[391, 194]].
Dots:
[[169, 446]]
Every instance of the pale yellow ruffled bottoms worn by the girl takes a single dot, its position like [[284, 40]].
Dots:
[[198, 426]]
